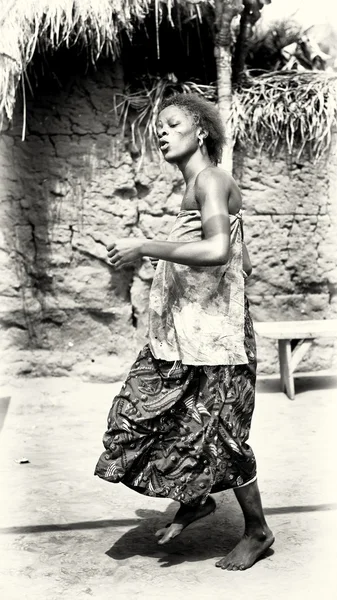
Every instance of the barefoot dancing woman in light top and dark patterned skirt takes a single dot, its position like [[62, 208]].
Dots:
[[179, 426]]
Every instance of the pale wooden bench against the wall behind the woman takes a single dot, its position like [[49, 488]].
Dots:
[[294, 339]]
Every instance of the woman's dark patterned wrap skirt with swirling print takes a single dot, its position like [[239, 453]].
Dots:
[[180, 431]]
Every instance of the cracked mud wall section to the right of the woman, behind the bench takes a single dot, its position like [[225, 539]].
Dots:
[[290, 216]]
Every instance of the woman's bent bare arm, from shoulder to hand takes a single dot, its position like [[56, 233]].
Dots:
[[212, 188]]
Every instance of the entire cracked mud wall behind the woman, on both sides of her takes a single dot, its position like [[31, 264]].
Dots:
[[72, 186]]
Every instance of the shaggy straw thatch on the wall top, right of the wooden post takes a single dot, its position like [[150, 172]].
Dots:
[[295, 110]]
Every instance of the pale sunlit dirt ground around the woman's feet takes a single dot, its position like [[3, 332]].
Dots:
[[67, 534]]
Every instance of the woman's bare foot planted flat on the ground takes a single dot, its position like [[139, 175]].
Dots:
[[248, 551]]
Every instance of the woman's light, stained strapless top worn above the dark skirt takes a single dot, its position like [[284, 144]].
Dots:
[[196, 314]]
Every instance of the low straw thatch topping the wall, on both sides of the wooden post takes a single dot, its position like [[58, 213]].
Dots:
[[295, 111]]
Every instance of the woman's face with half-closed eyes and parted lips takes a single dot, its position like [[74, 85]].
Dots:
[[177, 134]]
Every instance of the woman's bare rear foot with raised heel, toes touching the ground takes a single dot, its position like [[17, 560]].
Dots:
[[185, 516]]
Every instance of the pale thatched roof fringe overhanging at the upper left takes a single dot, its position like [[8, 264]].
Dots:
[[26, 24]]
